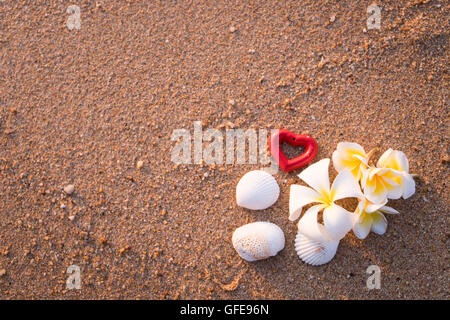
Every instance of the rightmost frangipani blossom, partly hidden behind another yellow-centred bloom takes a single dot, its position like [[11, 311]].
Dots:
[[397, 160]]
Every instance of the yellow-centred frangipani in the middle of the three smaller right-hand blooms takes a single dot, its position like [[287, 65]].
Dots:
[[380, 184]]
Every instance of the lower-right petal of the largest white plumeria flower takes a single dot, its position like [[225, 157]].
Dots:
[[338, 221]]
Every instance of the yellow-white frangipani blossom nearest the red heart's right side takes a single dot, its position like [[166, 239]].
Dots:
[[351, 156]]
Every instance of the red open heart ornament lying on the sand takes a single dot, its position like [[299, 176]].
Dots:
[[283, 135]]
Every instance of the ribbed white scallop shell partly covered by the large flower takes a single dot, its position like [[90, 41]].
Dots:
[[314, 252]]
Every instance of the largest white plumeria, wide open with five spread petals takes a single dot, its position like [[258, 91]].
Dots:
[[337, 220]]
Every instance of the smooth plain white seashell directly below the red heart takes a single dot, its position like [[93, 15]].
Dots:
[[257, 190]]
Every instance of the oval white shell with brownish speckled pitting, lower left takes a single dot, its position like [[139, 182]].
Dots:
[[258, 240]]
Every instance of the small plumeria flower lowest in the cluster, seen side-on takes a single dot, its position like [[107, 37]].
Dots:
[[369, 217]]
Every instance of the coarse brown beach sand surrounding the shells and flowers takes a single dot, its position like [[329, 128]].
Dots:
[[82, 107]]
